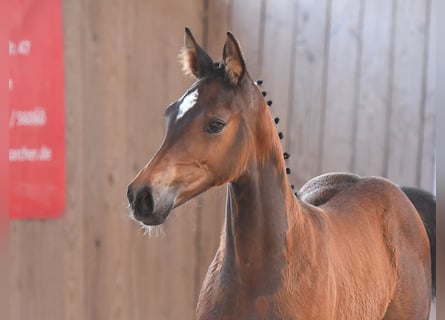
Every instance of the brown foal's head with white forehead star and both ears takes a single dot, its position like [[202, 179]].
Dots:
[[219, 128]]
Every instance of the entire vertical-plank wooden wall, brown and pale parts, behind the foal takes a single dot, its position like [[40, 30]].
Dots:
[[352, 81]]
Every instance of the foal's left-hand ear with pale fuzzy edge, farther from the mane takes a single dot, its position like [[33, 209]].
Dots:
[[195, 61]]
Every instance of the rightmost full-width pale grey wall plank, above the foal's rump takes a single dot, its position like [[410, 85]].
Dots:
[[407, 89]]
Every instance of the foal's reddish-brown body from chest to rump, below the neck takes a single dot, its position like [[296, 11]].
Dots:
[[322, 248]]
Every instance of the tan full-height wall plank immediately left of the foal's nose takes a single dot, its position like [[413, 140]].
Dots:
[[112, 276]]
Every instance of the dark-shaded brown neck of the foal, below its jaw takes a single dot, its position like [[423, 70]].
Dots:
[[258, 206]]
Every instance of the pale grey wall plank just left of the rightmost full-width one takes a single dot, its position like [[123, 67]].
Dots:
[[374, 94]]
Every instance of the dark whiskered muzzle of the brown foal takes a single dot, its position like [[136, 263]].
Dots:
[[150, 206]]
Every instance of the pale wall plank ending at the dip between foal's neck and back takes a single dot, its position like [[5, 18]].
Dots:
[[306, 112]]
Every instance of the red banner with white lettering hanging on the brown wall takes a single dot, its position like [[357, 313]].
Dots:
[[36, 117]]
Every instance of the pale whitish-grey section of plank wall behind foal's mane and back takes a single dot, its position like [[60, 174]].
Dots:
[[354, 81]]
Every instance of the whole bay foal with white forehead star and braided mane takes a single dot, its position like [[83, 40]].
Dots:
[[346, 248]]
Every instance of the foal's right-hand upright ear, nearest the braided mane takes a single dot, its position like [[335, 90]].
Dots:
[[233, 59]]
